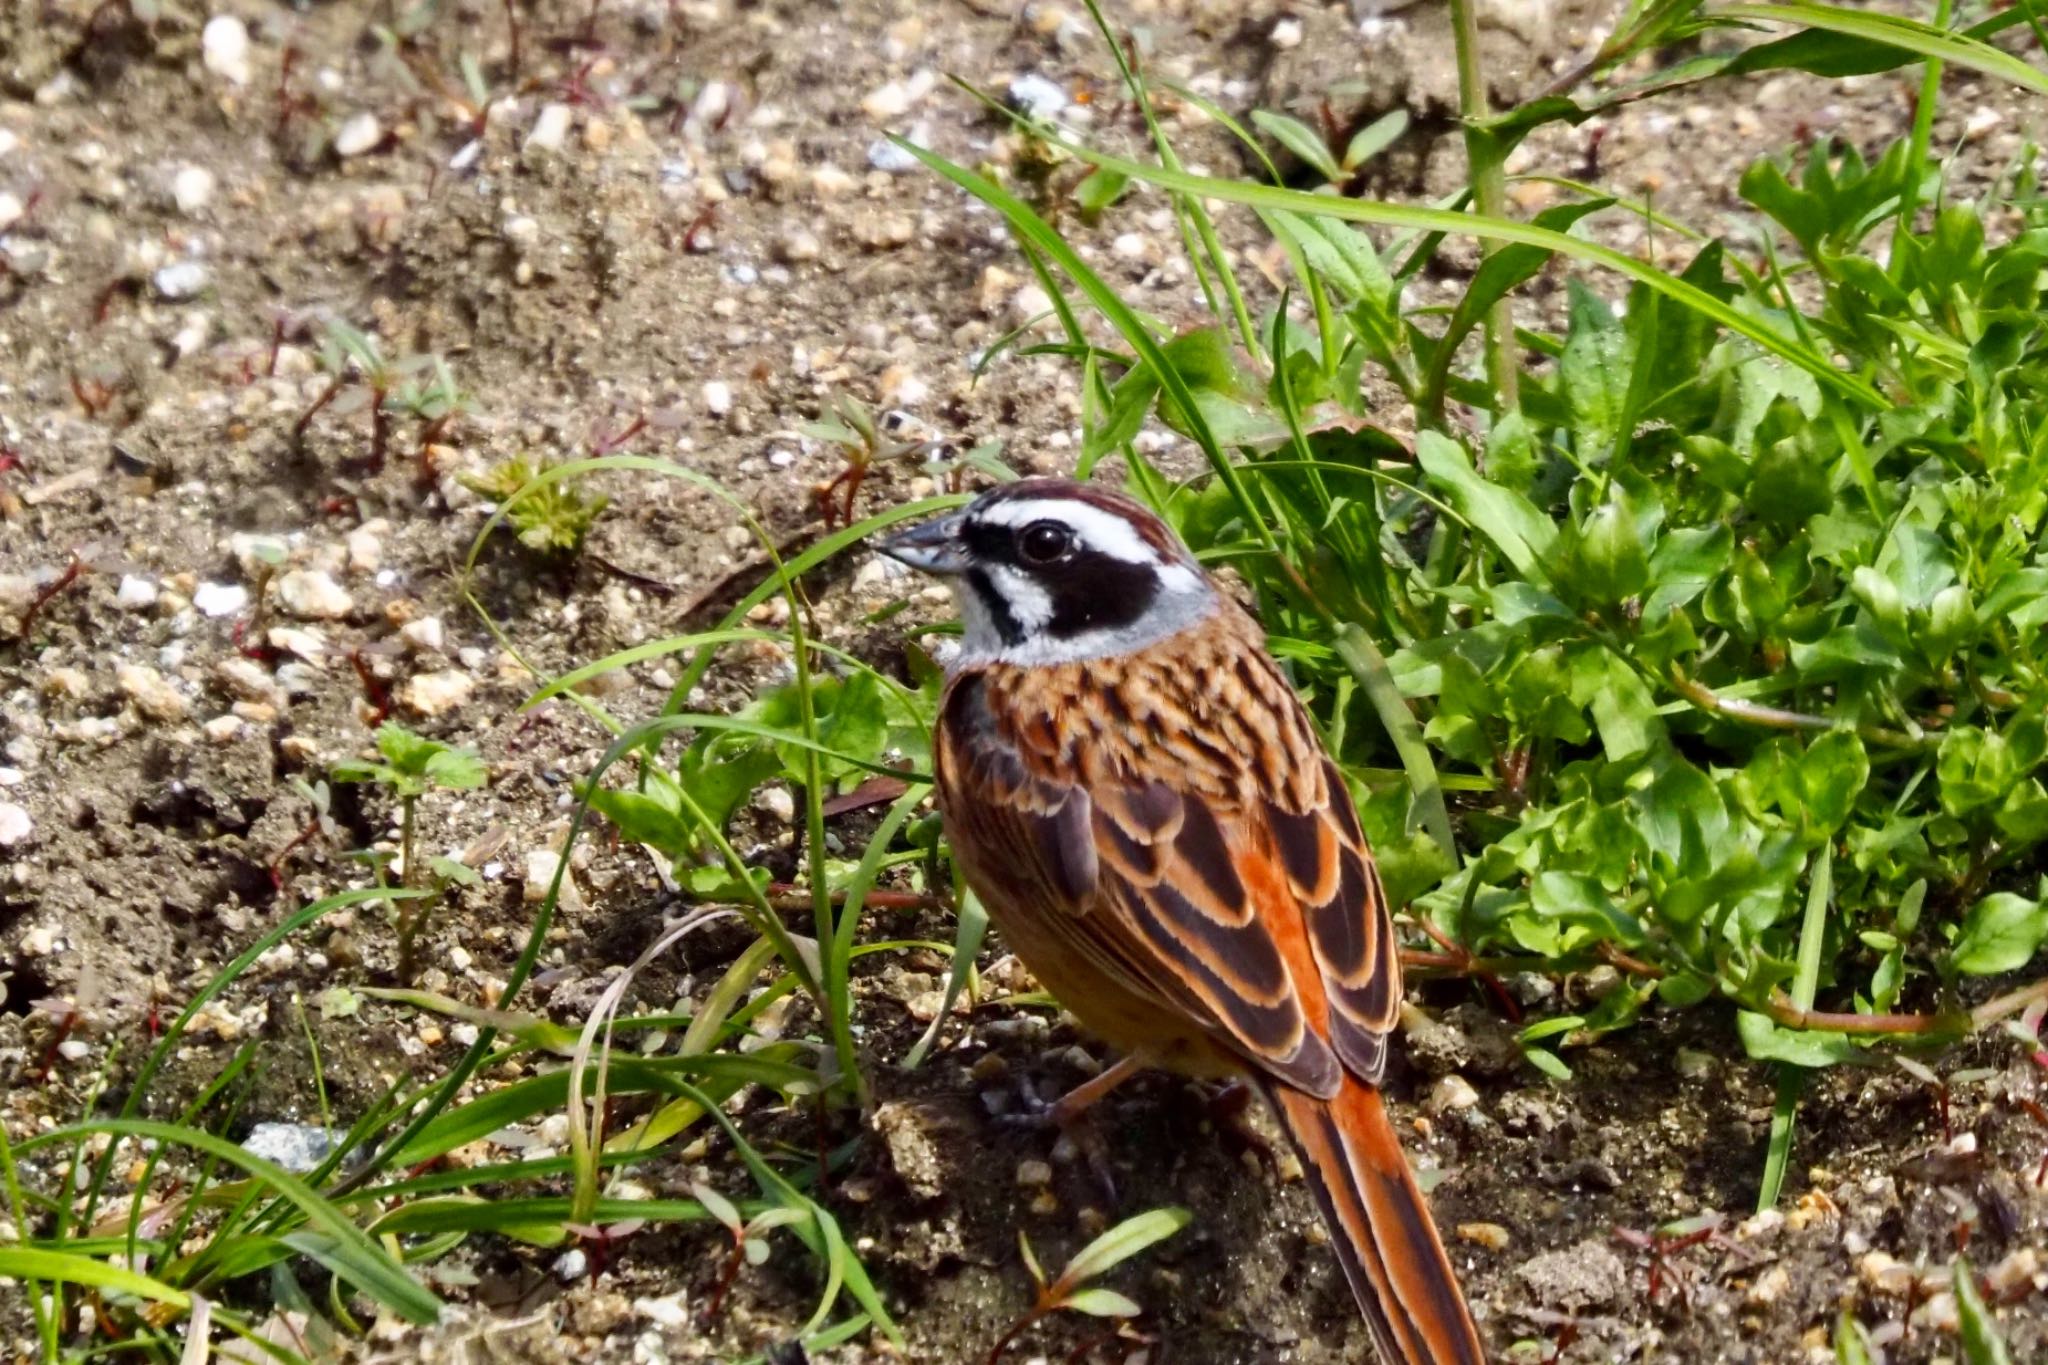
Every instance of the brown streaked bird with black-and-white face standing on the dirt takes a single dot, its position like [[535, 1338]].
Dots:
[[1146, 811]]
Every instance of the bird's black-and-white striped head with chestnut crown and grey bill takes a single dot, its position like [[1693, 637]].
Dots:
[[1054, 572]]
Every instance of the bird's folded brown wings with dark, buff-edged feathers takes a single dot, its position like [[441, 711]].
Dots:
[[1261, 918]]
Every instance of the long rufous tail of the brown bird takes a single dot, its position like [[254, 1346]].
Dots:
[[1381, 1225]]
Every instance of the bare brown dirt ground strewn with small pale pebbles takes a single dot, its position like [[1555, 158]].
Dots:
[[679, 212]]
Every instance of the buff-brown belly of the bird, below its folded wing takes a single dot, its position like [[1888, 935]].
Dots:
[[1105, 1004]]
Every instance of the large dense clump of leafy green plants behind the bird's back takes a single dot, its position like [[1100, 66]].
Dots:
[[1705, 654]]
